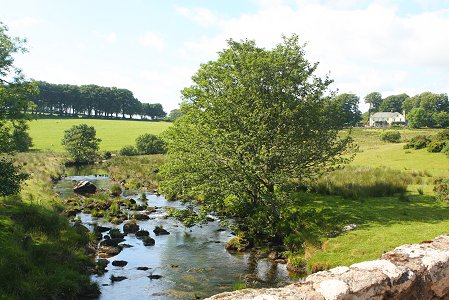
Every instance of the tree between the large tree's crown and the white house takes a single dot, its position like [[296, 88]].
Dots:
[[347, 106]]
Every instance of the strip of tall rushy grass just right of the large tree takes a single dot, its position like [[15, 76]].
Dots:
[[359, 182]]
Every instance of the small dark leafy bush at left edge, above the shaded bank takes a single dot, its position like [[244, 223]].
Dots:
[[11, 178]]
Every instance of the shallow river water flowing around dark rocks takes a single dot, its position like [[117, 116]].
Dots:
[[192, 262]]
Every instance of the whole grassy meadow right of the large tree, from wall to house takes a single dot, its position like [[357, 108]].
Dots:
[[383, 222]]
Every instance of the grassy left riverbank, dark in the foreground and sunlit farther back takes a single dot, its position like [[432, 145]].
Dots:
[[42, 256]]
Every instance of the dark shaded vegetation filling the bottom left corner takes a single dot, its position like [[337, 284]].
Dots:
[[43, 256]]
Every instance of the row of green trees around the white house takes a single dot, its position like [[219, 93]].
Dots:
[[423, 110]]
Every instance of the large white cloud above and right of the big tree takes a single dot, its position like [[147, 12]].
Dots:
[[371, 48]]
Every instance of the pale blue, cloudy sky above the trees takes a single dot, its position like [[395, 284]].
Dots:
[[153, 47]]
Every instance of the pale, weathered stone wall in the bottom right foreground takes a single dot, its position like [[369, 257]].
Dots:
[[419, 271]]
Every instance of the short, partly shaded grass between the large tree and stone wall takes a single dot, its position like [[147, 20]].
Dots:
[[383, 224]]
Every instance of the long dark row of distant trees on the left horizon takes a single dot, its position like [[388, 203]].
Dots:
[[92, 101]]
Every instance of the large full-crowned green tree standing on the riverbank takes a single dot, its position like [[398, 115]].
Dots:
[[254, 121]]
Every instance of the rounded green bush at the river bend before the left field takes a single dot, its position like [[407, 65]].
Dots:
[[81, 143]]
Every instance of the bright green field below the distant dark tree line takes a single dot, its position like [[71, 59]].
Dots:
[[47, 133]]
